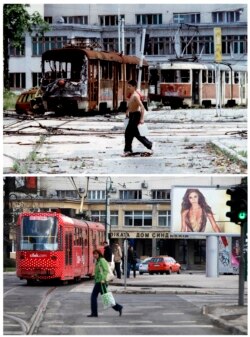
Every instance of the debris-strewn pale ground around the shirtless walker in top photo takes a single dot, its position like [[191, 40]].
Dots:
[[184, 143]]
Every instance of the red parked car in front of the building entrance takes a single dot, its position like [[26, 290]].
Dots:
[[163, 264]]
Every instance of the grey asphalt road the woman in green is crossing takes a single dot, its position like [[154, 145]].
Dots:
[[65, 310]]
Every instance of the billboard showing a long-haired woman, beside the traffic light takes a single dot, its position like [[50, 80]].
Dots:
[[201, 210]]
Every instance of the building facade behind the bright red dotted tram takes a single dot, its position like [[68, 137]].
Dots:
[[136, 208]]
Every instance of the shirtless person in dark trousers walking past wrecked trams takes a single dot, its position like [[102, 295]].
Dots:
[[135, 113]]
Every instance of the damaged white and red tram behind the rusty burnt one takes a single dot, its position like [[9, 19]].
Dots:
[[192, 84]]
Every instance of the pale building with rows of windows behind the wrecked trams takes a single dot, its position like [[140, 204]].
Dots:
[[172, 31]]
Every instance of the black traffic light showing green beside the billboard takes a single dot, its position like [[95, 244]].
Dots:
[[238, 204]]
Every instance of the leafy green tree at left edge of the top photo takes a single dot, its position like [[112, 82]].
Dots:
[[16, 22]]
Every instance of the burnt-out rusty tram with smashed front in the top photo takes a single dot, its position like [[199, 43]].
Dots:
[[76, 79]]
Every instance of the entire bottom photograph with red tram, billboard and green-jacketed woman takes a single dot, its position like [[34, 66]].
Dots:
[[136, 241]]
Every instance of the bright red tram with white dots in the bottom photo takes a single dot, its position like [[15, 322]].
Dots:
[[53, 246]]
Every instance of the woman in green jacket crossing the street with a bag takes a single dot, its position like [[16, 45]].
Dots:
[[101, 271]]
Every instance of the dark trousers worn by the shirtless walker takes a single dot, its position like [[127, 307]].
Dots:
[[132, 131]]
